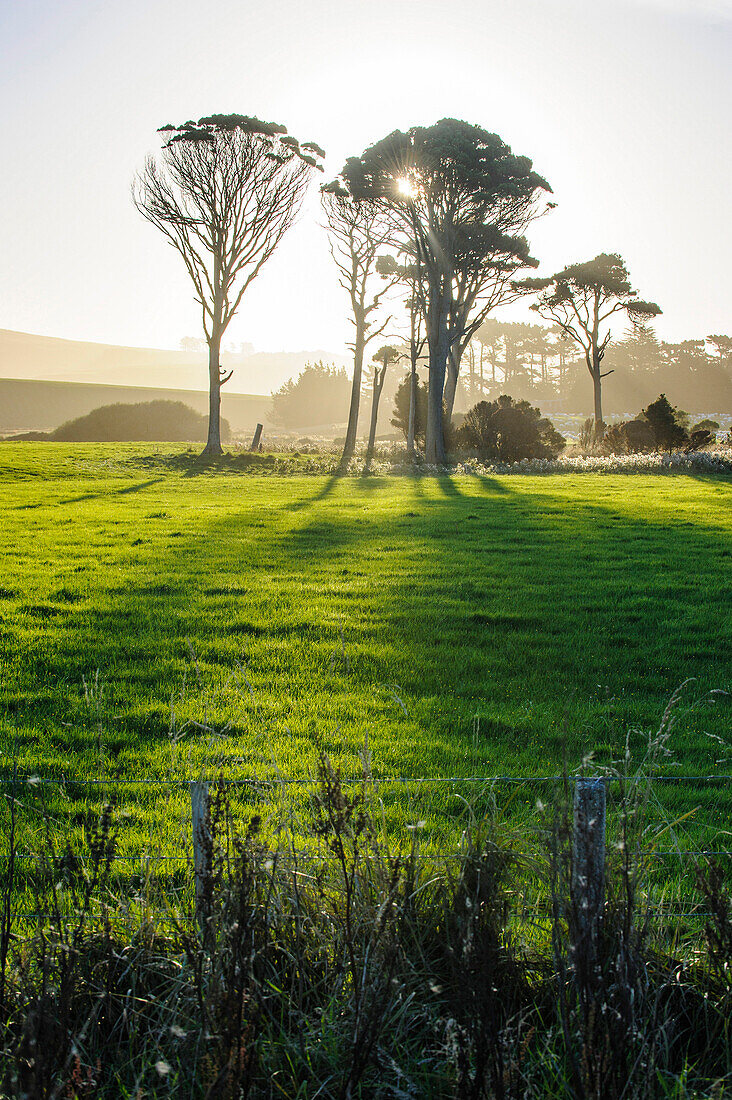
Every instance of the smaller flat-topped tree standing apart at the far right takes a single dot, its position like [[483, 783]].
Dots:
[[581, 301]]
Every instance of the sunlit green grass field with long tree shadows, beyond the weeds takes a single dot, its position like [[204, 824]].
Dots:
[[469, 626]]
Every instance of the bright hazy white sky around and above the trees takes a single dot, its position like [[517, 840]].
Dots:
[[622, 105]]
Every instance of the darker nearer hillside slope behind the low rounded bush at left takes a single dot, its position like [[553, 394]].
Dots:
[[43, 406]]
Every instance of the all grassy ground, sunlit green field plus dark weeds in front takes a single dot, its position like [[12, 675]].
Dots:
[[357, 937]]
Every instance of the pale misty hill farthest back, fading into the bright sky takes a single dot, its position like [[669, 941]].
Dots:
[[25, 356]]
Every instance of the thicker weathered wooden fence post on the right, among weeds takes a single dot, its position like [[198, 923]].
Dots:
[[588, 881]]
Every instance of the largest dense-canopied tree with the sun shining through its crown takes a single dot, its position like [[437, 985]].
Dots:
[[461, 200]]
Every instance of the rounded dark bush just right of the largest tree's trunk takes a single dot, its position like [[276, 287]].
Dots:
[[509, 432]]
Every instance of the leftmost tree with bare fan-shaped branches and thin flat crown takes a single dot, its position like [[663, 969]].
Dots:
[[224, 192]]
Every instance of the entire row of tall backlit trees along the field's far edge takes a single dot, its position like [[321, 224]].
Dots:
[[434, 217]]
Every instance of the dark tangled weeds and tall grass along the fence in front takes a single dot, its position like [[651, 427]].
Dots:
[[358, 972]]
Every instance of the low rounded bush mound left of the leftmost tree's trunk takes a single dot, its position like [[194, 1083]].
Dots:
[[156, 422]]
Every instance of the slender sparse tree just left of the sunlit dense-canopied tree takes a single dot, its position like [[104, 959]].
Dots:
[[358, 232]]
